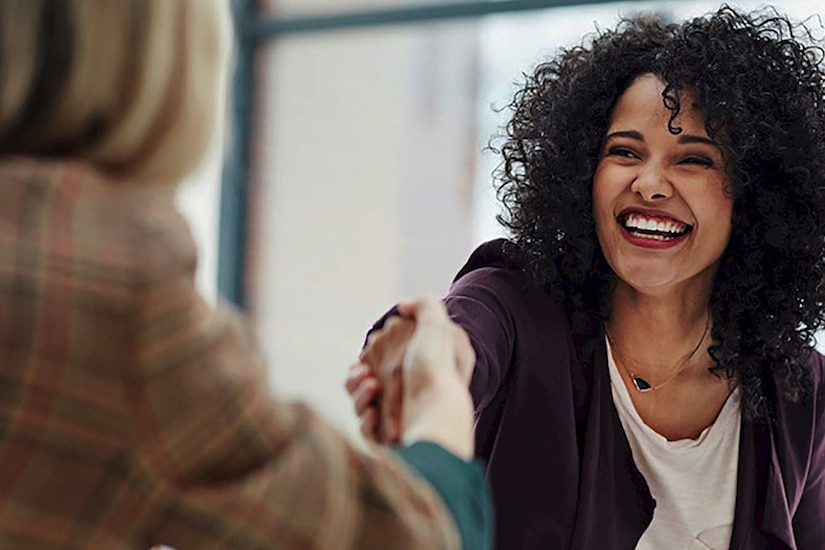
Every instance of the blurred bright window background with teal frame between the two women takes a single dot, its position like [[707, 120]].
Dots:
[[353, 168]]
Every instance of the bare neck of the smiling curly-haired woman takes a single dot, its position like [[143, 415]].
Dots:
[[659, 331]]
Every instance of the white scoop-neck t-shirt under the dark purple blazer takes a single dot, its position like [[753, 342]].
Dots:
[[692, 480]]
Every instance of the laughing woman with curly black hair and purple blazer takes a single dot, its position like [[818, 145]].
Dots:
[[644, 375]]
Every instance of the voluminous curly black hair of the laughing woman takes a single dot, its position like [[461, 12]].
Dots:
[[758, 79]]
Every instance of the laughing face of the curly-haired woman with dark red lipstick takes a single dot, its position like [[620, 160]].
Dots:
[[660, 200]]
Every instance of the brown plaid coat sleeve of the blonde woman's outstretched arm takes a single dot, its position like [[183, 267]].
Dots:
[[230, 467]]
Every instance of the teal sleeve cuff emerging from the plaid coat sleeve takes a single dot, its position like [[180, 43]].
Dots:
[[461, 486]]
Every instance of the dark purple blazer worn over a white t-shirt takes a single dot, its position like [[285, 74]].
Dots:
[[558, 462]]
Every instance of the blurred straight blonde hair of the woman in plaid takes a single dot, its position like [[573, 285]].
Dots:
[[131, 86]]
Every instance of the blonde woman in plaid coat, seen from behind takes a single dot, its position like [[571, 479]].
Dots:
[[132, 413]]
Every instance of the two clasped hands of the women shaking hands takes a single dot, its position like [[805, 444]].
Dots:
[[411, 381]]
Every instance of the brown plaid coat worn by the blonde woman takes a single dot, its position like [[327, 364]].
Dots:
[[132, 413]]
